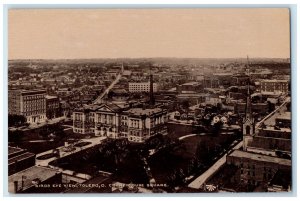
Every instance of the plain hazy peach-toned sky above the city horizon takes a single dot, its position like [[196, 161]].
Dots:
[[112, 33]]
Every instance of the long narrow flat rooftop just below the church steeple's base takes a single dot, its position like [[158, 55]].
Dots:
[[259, 157]]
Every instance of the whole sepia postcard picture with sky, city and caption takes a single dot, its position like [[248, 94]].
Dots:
[[139, 100]]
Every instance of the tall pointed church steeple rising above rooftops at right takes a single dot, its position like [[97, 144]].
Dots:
[[248, 121]]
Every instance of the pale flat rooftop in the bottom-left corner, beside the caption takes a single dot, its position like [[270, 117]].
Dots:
[[42, 173]]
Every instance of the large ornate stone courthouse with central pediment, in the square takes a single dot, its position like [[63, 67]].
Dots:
[[136, 124]]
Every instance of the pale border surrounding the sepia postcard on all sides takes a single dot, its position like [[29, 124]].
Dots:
[[143, 2]]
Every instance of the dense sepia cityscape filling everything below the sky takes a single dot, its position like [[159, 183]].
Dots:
[[149, 125]]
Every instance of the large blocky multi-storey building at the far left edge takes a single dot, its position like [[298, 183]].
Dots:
[[30, 103]]
